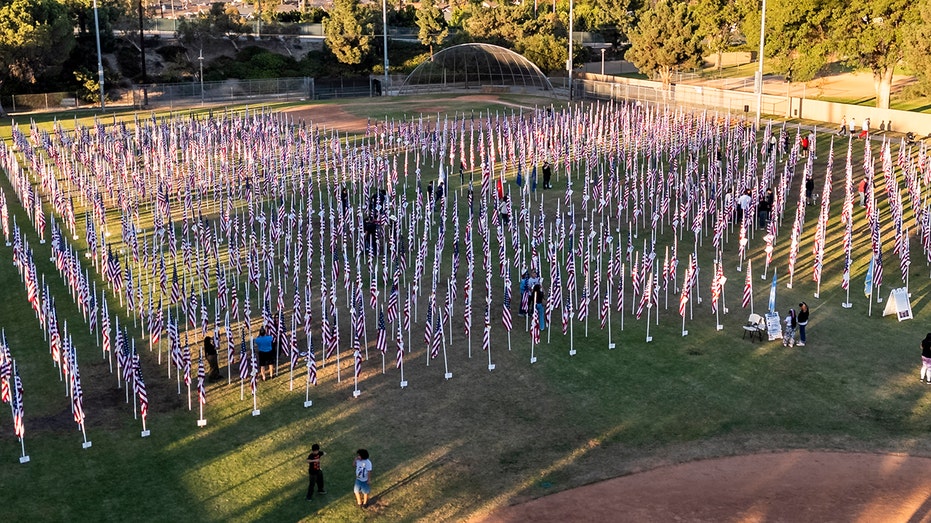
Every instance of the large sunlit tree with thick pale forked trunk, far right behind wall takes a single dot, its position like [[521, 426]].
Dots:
[[872, 34]]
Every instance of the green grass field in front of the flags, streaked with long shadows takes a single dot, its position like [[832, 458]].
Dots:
[[455, 449]]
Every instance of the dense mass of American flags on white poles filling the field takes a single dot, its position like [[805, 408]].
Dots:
[[254, 206]]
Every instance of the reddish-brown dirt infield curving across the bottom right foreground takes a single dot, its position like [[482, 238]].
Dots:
[[791, 486]]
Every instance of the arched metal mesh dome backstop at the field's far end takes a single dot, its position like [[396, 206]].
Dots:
[[487, 67]]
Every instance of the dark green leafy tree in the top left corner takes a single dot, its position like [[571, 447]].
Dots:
[[36, 37]]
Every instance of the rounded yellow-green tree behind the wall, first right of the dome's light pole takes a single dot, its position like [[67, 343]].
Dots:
[[665, 40]]
